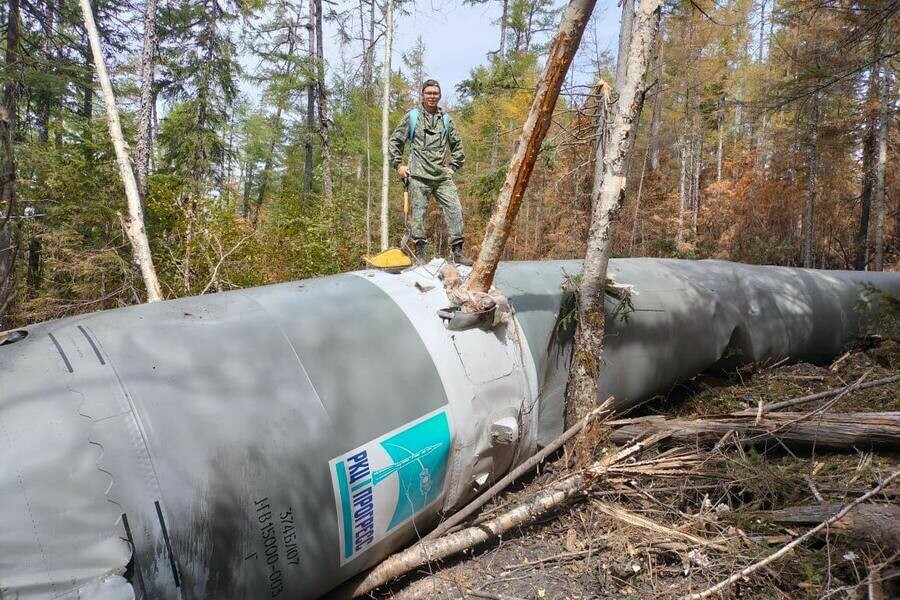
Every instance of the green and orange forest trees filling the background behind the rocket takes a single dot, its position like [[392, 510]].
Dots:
[[232, 200]]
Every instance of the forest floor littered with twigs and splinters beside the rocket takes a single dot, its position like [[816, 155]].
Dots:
[[678, 533]]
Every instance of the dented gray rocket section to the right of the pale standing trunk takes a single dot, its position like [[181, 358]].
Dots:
[[690, 315]]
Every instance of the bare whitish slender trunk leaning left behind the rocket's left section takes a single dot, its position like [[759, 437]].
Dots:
[[140, 247]]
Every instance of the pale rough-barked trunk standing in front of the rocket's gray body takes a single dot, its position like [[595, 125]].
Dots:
[[607, 200]]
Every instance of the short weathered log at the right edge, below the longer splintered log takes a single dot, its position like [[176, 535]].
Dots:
[[875, 523]]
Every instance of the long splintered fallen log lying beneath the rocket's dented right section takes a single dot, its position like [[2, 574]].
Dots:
[[838, 430]]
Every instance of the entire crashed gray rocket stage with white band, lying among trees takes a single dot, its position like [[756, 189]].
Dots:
[[221, 437]]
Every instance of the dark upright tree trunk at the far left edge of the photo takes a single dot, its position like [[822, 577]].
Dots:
[[10, 235]]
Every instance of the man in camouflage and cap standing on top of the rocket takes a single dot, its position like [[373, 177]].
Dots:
[[430, 131]]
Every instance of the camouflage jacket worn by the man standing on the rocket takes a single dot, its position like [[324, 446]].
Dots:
[[427, 153]]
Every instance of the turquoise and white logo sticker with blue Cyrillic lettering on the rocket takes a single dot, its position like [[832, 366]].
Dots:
[[384, 483]]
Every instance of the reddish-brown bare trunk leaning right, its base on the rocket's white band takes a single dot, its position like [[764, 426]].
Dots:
[[562, 50]]
